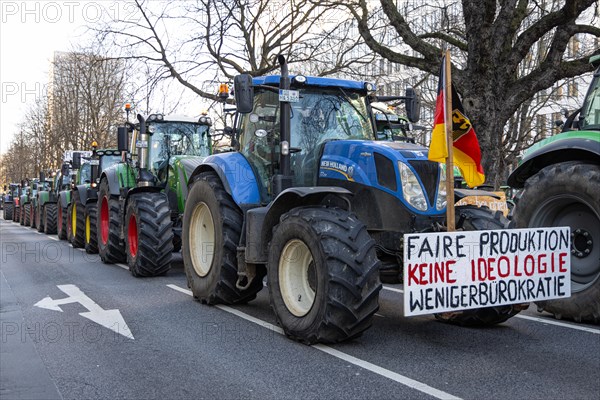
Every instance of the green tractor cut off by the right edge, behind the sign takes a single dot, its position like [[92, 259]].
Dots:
[[560, 182]]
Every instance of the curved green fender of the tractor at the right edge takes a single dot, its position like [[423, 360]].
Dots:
[[557, 151]]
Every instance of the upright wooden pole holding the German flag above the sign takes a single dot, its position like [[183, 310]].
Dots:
[[450, 216]]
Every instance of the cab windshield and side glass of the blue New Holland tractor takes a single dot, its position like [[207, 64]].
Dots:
[[319, 116]]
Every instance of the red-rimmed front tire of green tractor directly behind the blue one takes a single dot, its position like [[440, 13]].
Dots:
[[149, 239]]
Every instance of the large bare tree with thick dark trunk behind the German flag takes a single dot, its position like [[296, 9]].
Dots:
[[490, 41]]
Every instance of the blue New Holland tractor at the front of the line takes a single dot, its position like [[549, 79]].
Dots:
[[313, 201]]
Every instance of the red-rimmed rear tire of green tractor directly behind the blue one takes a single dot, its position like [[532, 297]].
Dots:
[[110, 246]]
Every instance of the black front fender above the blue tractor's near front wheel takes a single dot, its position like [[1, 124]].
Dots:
[[261, 221]]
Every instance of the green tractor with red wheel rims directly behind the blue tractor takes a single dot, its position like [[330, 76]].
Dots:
[[140, 201]]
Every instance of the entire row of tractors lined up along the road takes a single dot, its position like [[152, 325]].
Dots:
[[312, 198]]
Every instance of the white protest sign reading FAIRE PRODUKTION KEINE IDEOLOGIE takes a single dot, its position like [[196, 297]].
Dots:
[[453, 271]]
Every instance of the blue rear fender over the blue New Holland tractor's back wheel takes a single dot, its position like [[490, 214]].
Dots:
[[235, 173]]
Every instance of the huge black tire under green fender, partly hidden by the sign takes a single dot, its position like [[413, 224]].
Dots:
[[568, 194]]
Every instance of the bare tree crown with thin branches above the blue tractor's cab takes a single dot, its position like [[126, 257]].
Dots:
[[224, 38]]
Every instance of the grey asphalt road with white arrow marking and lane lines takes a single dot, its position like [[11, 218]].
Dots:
[[167, 346]]
